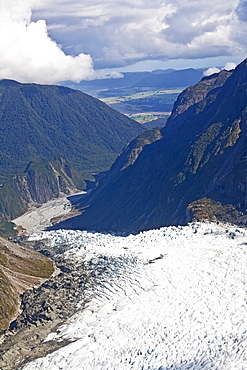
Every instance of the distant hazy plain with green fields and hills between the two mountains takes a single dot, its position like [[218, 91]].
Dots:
[[143, 96]]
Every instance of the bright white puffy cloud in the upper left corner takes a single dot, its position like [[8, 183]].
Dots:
[[28, 54]]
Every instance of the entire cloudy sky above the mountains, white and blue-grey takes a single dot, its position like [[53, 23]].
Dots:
[[49, 41]]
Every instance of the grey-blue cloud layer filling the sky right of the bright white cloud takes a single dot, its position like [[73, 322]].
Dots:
[[121, 33]]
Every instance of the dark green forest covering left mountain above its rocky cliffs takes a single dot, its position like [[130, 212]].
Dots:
[[50, 122]]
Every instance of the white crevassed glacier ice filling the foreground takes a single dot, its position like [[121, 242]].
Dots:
[[173, 298]]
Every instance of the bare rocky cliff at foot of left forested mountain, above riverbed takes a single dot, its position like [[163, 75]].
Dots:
[[41, 181]]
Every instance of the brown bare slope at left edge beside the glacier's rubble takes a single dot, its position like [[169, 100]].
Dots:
[[20, 269]]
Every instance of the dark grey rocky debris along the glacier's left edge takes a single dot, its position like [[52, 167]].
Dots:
[[46, 307]]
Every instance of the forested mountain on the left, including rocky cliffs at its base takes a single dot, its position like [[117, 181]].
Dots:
[[52, 138]]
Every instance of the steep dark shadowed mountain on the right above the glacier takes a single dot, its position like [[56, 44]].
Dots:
[[201, 154]]
